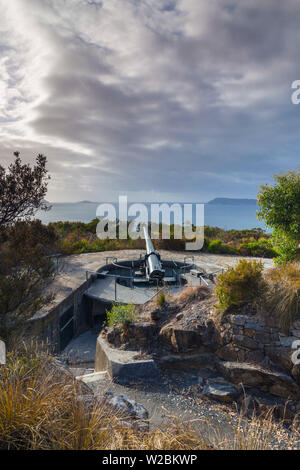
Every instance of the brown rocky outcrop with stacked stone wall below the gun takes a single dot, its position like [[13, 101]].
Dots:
[[244, 348]]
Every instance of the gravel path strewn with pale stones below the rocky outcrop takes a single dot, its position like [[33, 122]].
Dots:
[[176, 394]]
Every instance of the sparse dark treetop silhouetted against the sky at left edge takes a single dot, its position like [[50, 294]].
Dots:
[[22, 189]]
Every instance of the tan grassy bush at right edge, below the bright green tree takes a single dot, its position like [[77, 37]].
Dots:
[[283, 299]]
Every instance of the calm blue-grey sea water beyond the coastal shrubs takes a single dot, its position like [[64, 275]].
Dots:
[[226, 216]]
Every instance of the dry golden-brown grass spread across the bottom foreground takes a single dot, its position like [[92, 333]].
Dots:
[[39, 409]]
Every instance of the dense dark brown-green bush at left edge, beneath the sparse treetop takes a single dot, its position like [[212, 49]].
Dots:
[[25, 270]]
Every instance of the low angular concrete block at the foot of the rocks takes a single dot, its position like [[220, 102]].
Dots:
[[120, 363]]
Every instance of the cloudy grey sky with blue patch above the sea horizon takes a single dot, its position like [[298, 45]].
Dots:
[[175, 100]]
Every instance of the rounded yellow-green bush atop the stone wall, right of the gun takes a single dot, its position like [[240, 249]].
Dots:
[[240, 285]]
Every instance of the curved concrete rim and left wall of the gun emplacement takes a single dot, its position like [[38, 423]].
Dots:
[[70, 285]]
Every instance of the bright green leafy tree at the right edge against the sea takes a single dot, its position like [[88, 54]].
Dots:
[[280, 209]]
